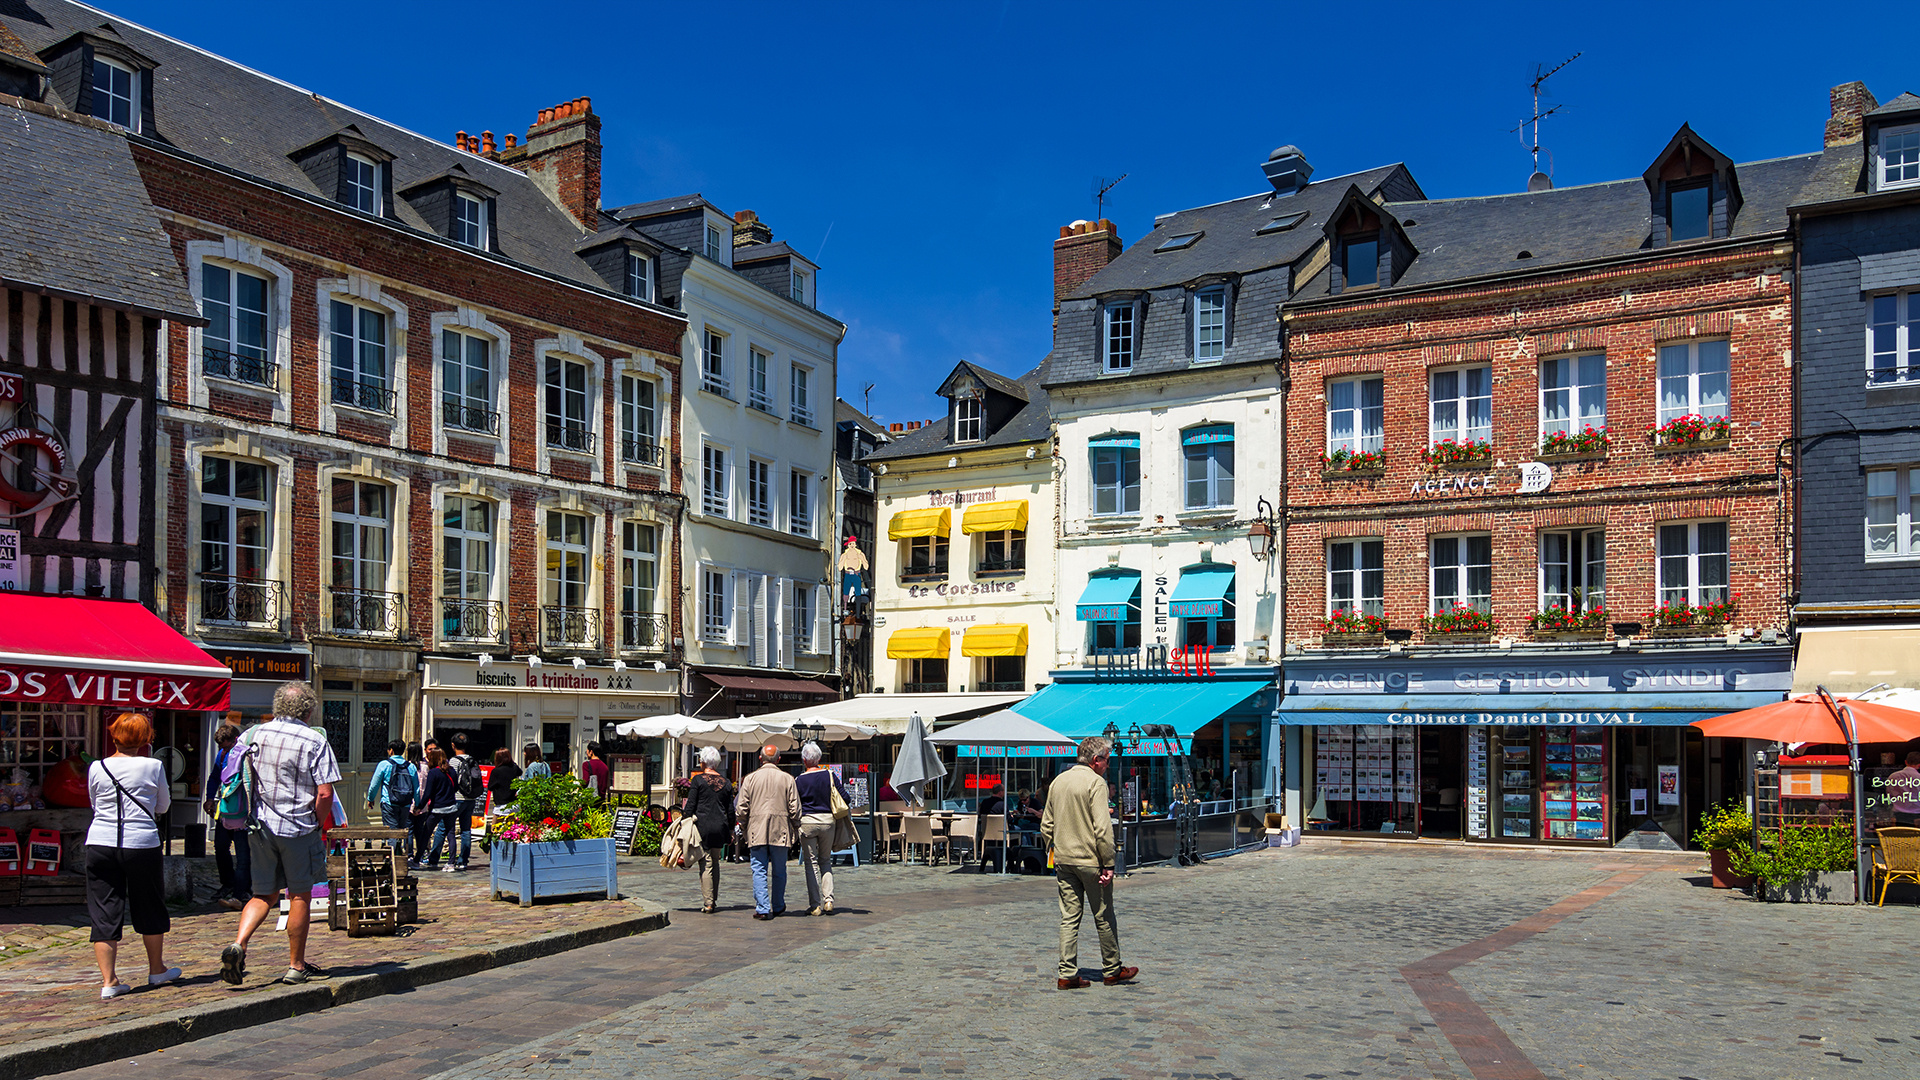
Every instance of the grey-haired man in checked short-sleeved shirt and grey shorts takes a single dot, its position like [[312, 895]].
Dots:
[[291, 775]]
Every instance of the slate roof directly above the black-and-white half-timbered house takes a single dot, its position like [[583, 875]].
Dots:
[[76, 218]]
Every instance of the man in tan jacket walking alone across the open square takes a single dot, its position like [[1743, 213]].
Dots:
[[1080, 833]]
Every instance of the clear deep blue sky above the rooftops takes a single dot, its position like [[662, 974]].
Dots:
[[928, 153]]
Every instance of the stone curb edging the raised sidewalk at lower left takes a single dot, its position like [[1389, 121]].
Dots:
[[147, 1035]]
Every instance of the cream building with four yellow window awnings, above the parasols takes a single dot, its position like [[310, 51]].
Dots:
[[965, 595]]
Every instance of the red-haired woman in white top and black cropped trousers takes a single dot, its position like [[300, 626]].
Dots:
[[124, 871]]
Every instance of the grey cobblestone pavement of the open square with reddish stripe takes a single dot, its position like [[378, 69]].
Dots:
[[1326, 962]]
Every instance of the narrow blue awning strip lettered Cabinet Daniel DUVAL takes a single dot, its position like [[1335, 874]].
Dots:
[[1520, 710]]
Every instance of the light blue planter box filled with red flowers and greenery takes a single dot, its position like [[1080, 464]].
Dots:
[[554, 841]]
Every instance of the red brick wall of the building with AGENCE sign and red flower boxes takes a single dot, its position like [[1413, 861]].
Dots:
[[1623, 312]]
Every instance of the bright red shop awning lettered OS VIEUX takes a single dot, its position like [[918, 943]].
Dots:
[[103, 652]]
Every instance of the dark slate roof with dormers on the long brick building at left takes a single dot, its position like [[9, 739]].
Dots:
[[251, 122]]
